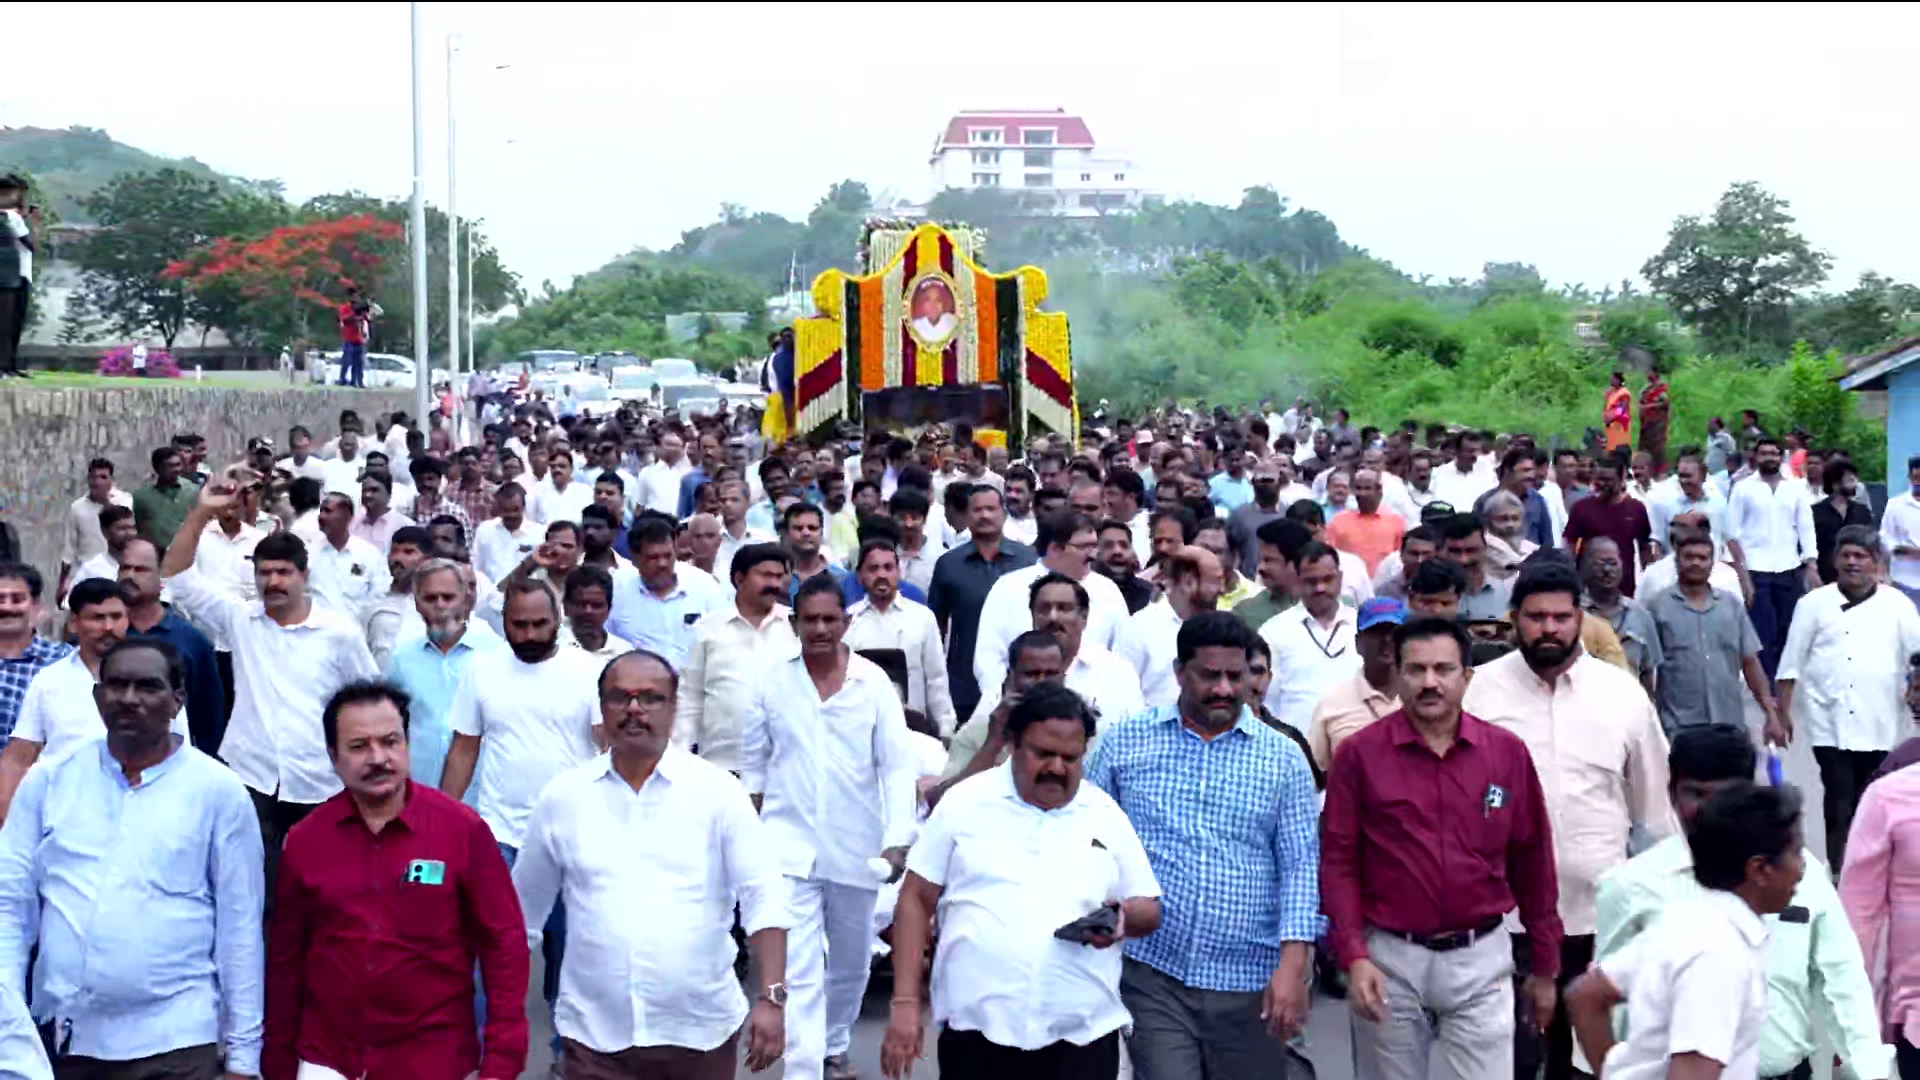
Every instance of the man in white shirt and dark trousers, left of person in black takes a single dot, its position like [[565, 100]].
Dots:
[[1771, 539]]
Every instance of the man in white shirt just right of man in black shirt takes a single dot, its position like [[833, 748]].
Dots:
[[1067, 545]]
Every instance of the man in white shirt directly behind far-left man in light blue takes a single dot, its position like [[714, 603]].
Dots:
[[59, 712]]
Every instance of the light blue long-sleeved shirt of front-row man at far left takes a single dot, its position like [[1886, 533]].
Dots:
[[147, 906]]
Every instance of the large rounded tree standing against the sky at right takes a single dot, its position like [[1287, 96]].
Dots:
[[1735, 276]]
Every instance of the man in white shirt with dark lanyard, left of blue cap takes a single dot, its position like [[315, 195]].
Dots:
[[1314, 643]]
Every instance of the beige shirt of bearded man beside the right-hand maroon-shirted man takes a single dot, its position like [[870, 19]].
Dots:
[[1602, 760]]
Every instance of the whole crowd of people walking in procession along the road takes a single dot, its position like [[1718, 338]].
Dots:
[[1122, 752]]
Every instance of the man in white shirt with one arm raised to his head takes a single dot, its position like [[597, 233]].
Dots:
[[291, 656]]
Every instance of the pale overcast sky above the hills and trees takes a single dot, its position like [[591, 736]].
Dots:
[[1435, 135]]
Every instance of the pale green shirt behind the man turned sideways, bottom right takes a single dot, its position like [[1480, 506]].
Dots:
[[1813, 968]]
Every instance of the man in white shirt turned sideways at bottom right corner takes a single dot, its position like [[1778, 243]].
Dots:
[[1696, 983]]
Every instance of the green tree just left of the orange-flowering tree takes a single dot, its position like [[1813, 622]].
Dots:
[[147, 224]]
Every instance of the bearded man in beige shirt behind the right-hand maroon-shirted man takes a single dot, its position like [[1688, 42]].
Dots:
[[1602, 760]]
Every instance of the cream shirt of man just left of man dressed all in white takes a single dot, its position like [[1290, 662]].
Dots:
[[727, 666]]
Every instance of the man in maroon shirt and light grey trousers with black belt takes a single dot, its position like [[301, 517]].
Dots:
[[1435, 829]]
